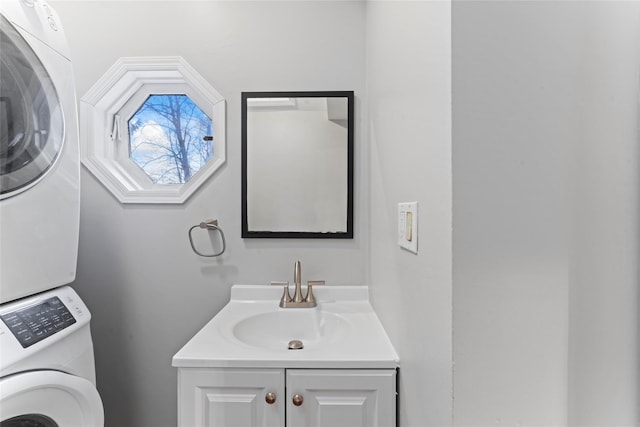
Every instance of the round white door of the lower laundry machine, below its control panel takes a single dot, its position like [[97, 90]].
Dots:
[[49, 399]]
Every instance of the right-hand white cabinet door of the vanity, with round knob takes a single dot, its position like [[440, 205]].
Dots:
[[341, 398]]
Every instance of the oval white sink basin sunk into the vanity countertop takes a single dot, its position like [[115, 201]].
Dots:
[[275, 330]]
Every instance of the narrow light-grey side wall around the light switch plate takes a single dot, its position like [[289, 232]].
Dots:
[[409, 125]]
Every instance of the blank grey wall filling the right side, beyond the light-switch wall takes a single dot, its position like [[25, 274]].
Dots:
[[545, 98]]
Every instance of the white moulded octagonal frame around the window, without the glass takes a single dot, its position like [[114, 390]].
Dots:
[[106, 108]]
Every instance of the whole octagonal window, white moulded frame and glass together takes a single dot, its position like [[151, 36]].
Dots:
[[152, 130]]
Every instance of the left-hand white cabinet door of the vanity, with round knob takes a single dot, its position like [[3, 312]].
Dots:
[[211, 397]]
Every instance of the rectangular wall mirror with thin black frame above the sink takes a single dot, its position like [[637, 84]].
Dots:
[[297, 164]]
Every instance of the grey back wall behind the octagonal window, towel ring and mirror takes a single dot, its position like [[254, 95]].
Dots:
[[147, 291]]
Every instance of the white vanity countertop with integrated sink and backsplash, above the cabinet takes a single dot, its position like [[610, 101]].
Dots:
[[253, 331]]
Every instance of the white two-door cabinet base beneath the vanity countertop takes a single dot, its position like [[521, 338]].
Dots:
[[229, 397]]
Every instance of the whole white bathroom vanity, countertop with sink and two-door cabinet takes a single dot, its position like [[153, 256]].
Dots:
[[242, 368]]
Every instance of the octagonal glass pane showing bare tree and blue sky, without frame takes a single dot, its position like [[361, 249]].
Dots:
[[170, 138]]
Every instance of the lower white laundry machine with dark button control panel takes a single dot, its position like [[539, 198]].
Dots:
[[47, 371]]
